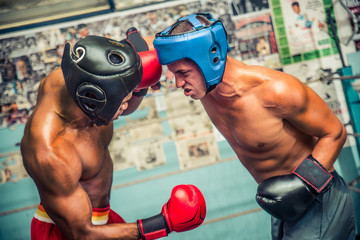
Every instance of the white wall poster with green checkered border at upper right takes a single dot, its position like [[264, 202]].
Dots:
[[301, 30]]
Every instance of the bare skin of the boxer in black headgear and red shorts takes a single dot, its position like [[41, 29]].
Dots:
[[68, 158]]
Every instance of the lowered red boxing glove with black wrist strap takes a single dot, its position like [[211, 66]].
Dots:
[[185, 210]]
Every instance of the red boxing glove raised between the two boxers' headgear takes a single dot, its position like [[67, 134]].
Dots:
[[151, 70]]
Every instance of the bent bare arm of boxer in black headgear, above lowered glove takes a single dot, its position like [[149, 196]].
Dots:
[[57, 176]]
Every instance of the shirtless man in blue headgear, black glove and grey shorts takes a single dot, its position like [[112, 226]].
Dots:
[[281, 130]]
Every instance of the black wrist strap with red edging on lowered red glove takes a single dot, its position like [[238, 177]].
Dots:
[[153, 228]]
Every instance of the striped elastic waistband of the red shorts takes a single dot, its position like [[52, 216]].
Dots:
[[100, 216]]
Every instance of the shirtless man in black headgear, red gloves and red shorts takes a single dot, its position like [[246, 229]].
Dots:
[[66, 140]]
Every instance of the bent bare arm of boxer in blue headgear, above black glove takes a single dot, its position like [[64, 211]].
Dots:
[[305, 110]]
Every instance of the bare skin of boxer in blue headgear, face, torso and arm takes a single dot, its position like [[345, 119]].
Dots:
[[271, 119]]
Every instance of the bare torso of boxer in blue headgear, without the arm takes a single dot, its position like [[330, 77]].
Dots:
[[265, 143]]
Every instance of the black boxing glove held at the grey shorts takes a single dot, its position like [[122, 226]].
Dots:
[[287, 197]]
